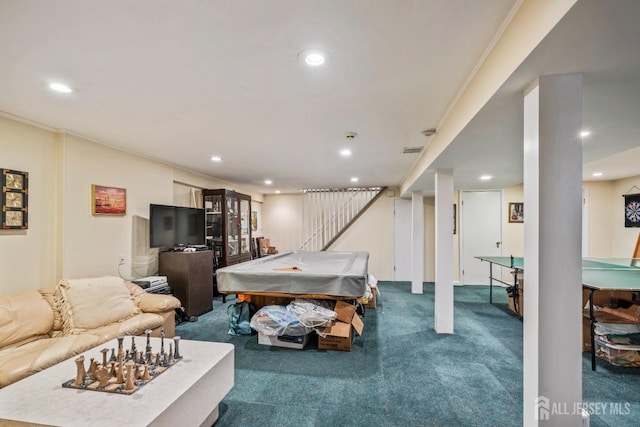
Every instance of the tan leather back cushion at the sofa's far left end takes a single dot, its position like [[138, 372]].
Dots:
[[24, 316]]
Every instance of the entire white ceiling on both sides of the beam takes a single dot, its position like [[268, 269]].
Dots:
[[181, 81]]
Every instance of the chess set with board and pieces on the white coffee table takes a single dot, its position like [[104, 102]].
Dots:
[[127, 371]]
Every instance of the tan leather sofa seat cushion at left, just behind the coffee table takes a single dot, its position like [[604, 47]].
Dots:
[[20, 362]]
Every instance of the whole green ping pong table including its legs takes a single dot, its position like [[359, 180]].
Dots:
[[598, 274]]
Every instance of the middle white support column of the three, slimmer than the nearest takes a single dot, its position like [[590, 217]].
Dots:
[[443, 317]]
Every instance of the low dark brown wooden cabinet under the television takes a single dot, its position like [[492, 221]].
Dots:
[[190, 276]]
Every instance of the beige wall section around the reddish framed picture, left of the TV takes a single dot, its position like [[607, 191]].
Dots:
[[92, 243]]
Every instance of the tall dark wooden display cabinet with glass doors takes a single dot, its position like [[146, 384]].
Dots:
[[228, 226]]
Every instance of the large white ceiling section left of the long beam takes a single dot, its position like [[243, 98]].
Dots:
[[181, 81]]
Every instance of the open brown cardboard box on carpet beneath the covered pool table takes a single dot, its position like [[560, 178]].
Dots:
[[340, 335]]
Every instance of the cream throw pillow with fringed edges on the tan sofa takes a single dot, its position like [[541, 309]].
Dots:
[[95, 302]]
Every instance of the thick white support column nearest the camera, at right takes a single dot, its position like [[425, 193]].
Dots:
[[552, 251]]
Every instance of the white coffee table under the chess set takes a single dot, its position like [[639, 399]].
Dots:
[[186, 394]]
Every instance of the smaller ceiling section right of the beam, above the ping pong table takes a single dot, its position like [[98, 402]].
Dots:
[[597, 38]]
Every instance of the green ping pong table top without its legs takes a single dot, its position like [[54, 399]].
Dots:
[[620, 274]]
